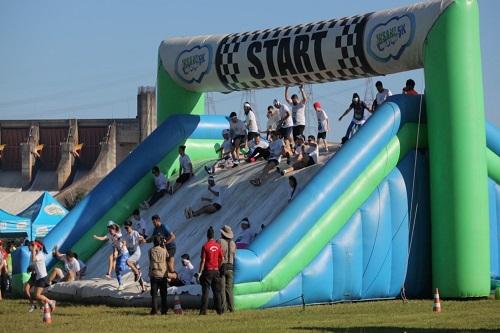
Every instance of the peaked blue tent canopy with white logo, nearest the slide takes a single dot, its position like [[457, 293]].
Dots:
[[44, 215]]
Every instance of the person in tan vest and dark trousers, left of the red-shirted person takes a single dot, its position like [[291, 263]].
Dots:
[[158, 274]]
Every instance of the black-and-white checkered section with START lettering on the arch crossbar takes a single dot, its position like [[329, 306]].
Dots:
[[344, 57]]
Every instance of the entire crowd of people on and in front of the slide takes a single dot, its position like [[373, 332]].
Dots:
[[284, 138]]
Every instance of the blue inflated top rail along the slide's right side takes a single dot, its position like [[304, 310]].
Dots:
[[326, 187]]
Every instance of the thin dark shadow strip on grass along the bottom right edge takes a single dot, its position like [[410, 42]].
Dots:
[[389, 330]]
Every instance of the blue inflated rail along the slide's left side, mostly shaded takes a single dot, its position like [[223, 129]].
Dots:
[[135, 166]]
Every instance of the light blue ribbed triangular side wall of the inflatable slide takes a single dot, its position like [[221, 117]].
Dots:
[[367, 258]]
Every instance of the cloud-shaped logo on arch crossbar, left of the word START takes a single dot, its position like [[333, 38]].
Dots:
[[193, 64]]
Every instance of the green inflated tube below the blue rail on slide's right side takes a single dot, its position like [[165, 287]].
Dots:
[[330, 223]]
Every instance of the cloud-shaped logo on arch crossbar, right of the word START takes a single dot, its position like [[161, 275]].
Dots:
[[388, 40]]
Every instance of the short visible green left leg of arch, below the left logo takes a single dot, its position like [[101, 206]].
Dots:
[[173, 99]]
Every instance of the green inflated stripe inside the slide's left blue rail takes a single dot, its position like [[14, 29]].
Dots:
[[198, 150]]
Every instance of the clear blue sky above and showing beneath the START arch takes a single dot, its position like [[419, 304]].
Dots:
[[85, 59]]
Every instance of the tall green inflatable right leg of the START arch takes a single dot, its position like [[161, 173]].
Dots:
[[457, 139]]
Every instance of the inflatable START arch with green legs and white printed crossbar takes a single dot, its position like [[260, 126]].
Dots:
[[440, 36]]
